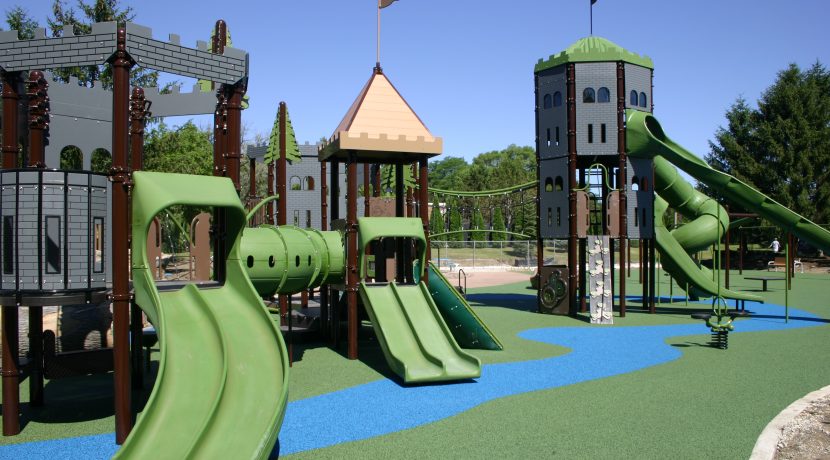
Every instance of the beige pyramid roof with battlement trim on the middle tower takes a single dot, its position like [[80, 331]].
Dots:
[[381, 126]]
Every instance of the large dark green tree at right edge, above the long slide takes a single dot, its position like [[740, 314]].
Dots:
[[782, 148]]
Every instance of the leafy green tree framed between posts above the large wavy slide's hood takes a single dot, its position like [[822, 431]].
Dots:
[[186, 150]]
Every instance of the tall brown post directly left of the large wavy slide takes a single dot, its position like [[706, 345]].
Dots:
[[121, 297]]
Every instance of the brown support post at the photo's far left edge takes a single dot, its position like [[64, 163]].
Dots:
[[10, 370]]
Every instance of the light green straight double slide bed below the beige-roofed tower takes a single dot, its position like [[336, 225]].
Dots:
[[415, 340]]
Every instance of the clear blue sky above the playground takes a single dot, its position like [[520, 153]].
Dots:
[[466, 66]]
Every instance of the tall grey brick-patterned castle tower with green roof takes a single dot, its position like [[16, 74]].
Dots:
[[590, 193]]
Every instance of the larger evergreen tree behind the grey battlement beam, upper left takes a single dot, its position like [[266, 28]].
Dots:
[[99, 11]]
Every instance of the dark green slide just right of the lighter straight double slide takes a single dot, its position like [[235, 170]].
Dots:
[[466, 327]]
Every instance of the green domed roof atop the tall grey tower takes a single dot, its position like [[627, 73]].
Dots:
[[593, 49]]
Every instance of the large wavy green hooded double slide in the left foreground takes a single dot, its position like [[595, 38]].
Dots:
[[223, 375]]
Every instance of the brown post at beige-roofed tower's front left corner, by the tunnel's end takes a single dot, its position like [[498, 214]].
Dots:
[[351, 252]]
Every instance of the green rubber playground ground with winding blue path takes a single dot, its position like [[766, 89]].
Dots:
[[560, 387]]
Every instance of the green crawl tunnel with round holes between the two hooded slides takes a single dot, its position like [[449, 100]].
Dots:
[[288, 259]]
